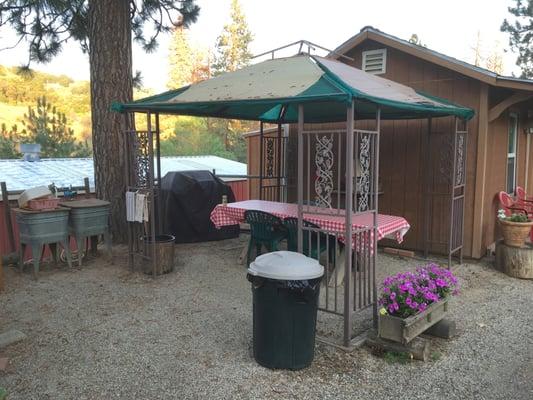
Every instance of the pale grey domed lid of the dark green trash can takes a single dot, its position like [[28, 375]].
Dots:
[[286, 265]]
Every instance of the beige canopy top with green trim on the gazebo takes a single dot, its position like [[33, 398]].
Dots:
[[271, 91]]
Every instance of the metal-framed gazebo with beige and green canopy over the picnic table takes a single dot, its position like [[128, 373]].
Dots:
[[337, 164]]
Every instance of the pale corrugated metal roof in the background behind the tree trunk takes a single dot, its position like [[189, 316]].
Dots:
[[20, 175]]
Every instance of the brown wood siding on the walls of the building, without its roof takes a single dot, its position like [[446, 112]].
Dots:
[[404, 146]]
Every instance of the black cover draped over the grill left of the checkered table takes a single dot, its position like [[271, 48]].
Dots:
[[188, 197]]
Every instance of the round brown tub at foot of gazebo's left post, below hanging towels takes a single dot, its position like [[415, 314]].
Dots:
[[164, 254]]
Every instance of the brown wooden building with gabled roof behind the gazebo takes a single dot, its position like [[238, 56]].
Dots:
[[416, 156]]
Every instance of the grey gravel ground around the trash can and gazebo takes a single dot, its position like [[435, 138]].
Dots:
[[101, 332]]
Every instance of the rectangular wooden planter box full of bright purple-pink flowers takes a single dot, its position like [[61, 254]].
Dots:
[[412, 302]]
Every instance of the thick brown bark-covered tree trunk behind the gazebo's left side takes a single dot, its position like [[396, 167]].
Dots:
[[110, 58]]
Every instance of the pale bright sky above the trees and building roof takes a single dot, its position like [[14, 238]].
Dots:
[[450, 27]]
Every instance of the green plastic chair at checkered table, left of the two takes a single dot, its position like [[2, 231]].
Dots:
[[266, 230]]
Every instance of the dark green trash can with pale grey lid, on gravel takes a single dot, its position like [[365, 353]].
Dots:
[[285, 287]]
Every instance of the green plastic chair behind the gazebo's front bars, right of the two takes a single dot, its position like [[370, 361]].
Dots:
[[291, 224]]
